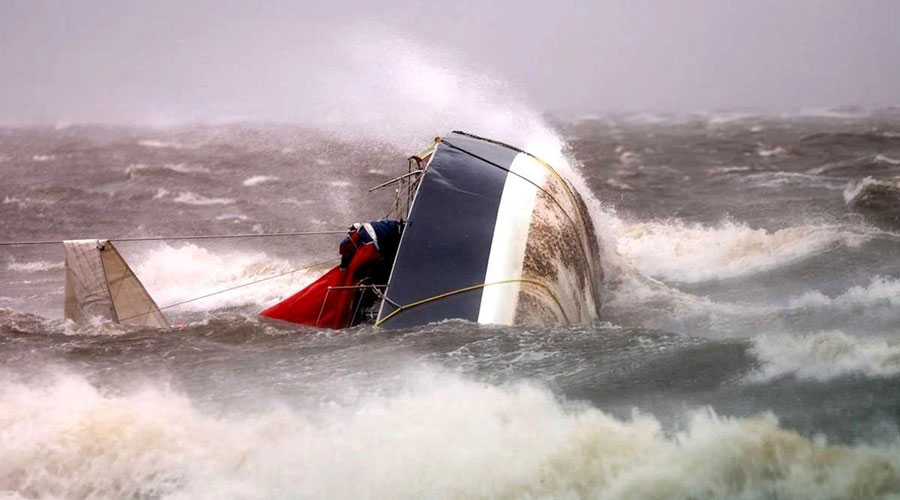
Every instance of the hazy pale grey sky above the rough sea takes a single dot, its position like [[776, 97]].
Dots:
[[170, 61]]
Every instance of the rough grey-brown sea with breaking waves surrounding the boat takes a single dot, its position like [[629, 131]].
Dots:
[[749, 344]]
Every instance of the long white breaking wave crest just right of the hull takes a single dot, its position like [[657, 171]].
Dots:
[[678, 251]]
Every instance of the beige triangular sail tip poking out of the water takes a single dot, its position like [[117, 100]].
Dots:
[[99, 283]]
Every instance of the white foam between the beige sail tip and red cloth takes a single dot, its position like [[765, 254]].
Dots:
[[177, 273]]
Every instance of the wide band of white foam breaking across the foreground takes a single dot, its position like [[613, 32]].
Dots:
[[444, 437]]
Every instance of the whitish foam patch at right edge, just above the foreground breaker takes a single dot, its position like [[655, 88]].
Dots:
[[825, 355]]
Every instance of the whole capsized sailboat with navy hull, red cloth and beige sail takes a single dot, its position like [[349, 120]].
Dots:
[[481, 231]]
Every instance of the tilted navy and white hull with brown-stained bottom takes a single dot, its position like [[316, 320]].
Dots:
[[494, 236]]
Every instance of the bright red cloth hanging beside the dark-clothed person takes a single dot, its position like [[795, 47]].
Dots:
[[315, 305]]
